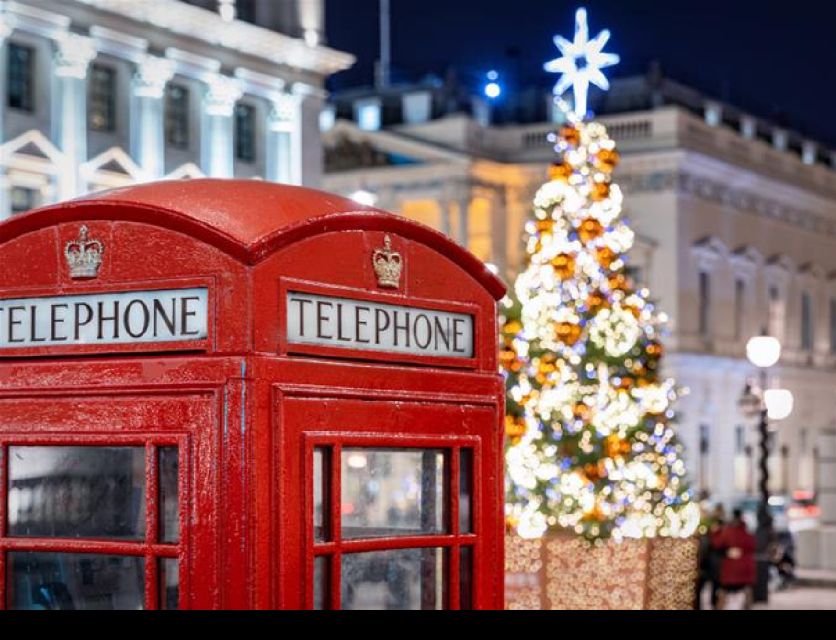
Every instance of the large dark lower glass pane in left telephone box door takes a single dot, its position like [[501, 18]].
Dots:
[[58, 581]]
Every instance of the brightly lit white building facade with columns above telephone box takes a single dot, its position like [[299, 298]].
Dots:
[[97, 94]]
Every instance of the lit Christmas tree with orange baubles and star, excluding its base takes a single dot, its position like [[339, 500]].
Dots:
[[589, 418]]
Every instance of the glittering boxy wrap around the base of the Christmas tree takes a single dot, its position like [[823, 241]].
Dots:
[[560, 572]]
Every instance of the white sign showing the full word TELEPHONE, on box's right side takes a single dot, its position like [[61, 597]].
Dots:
[[371, 326]]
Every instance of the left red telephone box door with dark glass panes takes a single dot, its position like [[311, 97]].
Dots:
[[98, 508]]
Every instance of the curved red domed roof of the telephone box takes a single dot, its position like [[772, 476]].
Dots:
[[249, 219]]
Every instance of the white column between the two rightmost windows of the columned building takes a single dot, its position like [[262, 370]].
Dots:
[[218, 127]]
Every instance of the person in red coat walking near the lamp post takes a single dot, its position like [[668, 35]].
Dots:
[[738, 569]]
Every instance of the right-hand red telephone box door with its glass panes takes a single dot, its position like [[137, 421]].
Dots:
[[397, 503]]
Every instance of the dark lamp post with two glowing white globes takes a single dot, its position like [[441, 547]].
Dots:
[[766, 404]]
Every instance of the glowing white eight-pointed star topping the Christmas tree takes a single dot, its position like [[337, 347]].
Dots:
[[581, 62]]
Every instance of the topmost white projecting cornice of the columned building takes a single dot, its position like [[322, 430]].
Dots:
[[209, 27]]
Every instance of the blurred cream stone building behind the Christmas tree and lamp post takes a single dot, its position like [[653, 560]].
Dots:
[[736, 232]]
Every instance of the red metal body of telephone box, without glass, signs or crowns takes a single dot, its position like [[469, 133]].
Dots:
[[243, 411]]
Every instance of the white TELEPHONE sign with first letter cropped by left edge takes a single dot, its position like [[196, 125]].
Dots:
[[177, 315]]
